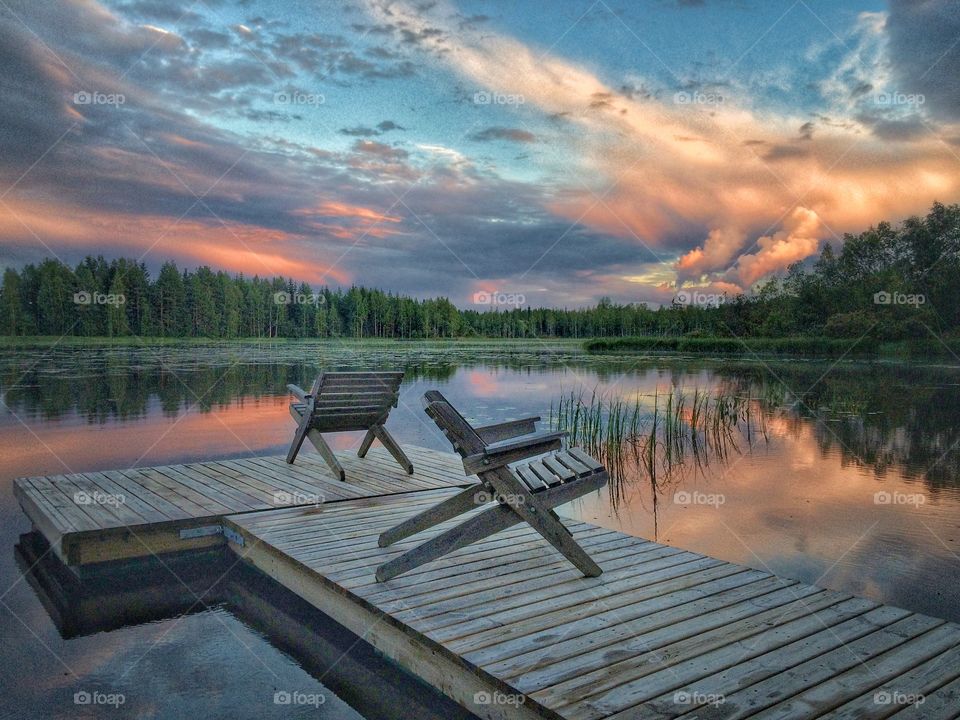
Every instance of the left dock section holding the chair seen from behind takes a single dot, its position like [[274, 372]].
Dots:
[[121, 514]]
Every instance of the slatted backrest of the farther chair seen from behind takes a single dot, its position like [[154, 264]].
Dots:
[[354, 400]]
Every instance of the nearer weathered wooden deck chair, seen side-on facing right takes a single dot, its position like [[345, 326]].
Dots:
[[524, 492]]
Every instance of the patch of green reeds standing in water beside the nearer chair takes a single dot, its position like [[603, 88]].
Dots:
[[659, 436]]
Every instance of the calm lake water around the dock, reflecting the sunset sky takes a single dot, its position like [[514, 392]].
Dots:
[[848, 478]]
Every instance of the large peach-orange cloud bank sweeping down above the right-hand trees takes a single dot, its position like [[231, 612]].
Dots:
[[648, 179]]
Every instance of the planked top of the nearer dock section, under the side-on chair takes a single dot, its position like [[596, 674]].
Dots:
[[620, 645]]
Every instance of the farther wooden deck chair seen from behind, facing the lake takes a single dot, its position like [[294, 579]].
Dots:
[[340, 401]]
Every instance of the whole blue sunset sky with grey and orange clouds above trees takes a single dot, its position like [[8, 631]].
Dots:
[[559, 152]]
